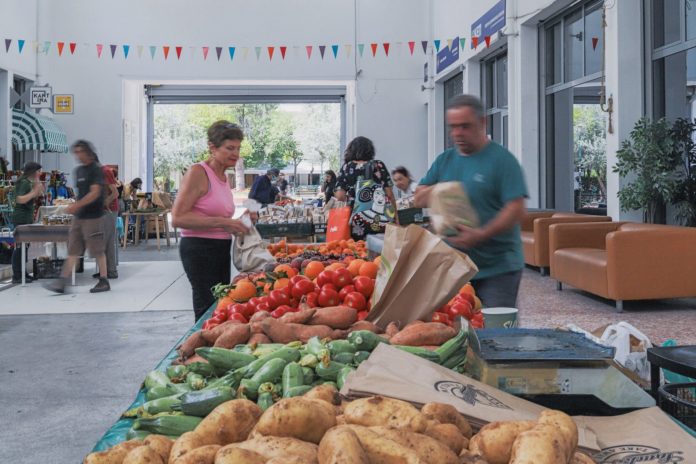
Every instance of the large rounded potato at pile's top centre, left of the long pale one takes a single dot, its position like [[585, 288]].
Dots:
[[306, 420]]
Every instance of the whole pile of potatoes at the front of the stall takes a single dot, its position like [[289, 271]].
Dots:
[[320, 428]]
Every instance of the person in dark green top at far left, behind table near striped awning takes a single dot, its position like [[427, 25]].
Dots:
[[27, 189]]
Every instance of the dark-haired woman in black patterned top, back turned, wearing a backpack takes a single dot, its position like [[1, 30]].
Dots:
[[363, 165]]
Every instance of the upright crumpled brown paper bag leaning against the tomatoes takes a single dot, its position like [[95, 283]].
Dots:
[[418, 274]]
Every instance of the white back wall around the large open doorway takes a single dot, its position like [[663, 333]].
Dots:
[[389, 107]]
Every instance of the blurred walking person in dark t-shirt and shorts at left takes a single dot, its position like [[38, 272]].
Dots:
[[87, 230]]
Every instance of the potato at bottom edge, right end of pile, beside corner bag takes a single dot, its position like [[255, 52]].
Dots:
[[544, 444]]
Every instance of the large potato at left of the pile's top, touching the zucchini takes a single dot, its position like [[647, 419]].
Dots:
[[230, 422]]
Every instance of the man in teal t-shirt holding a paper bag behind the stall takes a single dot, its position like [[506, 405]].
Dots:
[[493, 179]]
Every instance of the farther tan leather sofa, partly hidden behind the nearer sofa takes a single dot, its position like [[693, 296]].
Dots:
[[535, 234]]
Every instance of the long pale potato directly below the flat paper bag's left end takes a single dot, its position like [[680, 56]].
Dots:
[[378, 410]]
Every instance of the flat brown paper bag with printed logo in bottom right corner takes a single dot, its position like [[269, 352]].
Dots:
[[647, 435]]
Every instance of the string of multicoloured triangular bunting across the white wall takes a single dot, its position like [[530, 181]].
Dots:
[[373, 49]]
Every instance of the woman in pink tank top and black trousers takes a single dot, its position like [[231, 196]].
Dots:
[[203, 211]]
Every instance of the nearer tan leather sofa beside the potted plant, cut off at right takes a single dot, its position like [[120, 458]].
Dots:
[[625, 260]]
